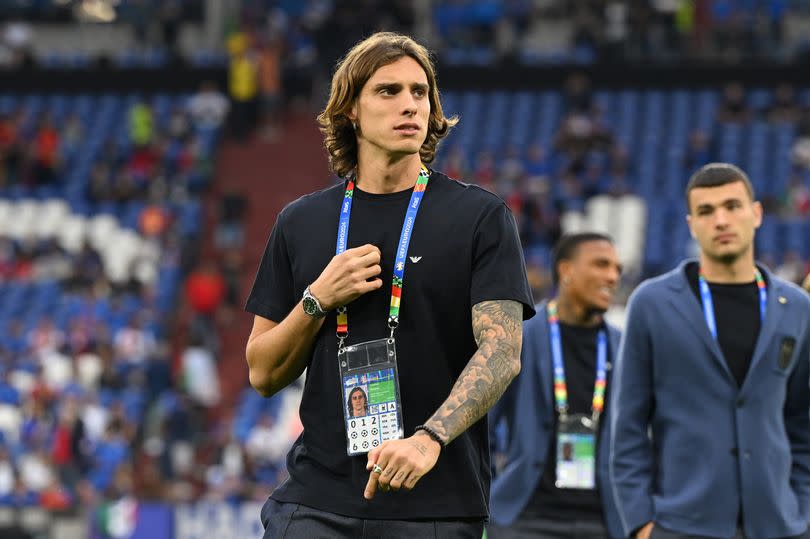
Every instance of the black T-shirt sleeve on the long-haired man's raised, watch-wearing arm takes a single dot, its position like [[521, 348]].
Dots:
[[272, 295]]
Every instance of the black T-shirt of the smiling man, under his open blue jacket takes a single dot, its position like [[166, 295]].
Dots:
[[579, 359]]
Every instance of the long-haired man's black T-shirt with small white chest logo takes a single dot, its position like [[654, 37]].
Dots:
[[467, 251]]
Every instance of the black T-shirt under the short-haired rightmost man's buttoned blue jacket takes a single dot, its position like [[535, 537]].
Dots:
[[737, 316]]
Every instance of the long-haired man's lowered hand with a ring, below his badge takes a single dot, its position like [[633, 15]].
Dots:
[[402, 463]]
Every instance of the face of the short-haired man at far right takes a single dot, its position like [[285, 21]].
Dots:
[[723, 220]]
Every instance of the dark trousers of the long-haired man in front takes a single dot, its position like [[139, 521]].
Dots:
[[294, 521]]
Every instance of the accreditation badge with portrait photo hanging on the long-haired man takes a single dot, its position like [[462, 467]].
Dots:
[[370, 387]]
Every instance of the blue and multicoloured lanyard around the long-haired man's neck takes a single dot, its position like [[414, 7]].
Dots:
[[402, 250]]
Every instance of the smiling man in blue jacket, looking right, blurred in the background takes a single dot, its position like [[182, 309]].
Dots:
[[527, 500]]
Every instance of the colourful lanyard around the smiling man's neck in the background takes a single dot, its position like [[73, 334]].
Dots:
[[560, 388]]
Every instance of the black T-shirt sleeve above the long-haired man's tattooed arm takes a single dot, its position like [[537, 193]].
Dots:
[[498, 270]]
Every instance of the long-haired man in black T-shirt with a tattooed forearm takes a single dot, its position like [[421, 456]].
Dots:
[[395, 252]]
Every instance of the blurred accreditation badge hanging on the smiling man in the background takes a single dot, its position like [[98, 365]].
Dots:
[[576, 452]]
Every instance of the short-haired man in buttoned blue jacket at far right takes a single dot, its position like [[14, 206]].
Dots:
[[710, 401]]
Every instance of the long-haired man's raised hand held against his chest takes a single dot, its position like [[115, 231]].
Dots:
[[348, 276]]
